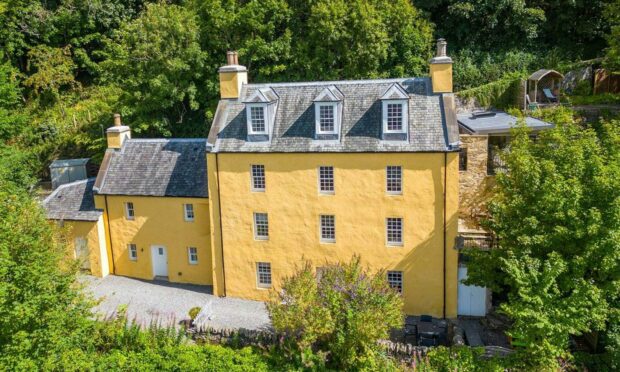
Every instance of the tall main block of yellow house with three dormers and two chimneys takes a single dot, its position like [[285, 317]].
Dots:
[[322, 171]]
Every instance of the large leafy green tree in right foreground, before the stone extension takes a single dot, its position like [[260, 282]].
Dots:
[[556, 215]]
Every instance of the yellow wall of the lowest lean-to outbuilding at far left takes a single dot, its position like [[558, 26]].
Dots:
[[88, 230]]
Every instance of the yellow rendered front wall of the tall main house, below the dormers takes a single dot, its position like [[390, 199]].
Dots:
[[360, 206]]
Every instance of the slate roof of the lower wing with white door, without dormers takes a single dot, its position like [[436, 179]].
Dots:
[[155, 167]]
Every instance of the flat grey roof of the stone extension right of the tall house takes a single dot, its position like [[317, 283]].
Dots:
[[496, 122]]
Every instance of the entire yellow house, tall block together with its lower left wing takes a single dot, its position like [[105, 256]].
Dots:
[[314, 171]]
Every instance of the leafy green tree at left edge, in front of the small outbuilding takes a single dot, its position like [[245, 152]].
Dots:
[[42, 313]]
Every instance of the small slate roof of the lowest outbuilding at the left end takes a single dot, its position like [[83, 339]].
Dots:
[[73, 201]]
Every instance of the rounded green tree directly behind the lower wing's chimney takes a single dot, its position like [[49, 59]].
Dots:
[[157, 60]]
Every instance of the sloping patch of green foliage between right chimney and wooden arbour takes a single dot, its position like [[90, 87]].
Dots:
[[501, 94]]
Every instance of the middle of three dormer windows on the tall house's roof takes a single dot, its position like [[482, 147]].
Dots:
[[328, 113]]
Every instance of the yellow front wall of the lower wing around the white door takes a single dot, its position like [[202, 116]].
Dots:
[[159, 221]]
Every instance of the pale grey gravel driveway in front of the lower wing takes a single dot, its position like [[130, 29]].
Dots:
[[168, 303]]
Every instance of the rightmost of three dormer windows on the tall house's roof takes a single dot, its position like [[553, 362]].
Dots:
[[395, 113]]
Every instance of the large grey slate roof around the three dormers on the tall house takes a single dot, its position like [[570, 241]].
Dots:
[[294, 126]]
